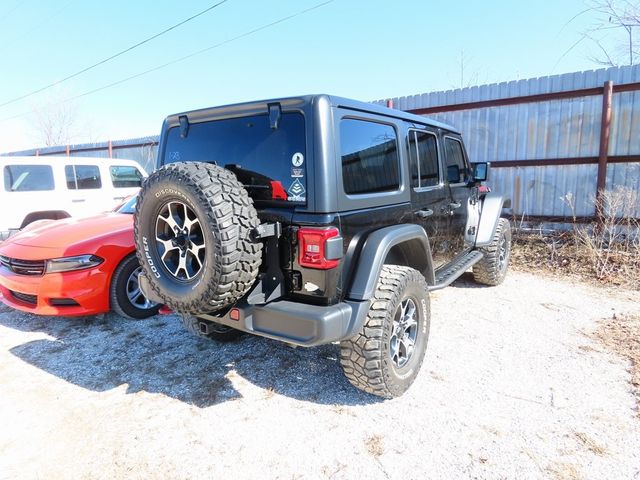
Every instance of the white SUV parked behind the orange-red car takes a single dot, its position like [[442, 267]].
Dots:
[[37, 188]]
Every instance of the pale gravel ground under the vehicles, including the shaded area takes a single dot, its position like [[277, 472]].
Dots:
[[512, 386]]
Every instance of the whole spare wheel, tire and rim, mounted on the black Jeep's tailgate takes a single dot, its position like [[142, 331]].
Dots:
[[193, 235]]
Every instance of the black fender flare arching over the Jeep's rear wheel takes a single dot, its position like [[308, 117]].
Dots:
[[377, 246]]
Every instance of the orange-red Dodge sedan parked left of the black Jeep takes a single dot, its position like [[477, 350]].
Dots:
[[75, 267]]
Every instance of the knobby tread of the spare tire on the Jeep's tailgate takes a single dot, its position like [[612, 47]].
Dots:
[[230, 215]]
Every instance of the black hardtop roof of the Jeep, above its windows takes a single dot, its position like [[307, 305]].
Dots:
[[298, 101]]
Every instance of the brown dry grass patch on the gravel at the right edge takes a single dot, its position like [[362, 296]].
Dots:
[[621, 333]]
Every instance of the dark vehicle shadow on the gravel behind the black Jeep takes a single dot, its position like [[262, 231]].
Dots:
[[158, 356]]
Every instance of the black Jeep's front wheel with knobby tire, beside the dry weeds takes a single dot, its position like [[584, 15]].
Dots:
[[492, 269]]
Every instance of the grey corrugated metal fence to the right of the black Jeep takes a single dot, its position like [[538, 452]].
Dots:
[[544, 136]]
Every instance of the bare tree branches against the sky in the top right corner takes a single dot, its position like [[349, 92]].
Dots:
[[615, 31]]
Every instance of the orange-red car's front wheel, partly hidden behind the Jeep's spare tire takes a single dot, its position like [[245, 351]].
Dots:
[[126, 299]]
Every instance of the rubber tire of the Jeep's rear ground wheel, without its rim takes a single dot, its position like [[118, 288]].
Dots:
[[365, 358]]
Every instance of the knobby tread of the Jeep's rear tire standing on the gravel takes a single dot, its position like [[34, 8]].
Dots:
[[363, 356]]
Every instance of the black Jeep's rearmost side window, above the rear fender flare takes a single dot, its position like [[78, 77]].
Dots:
[[369, 153]]
